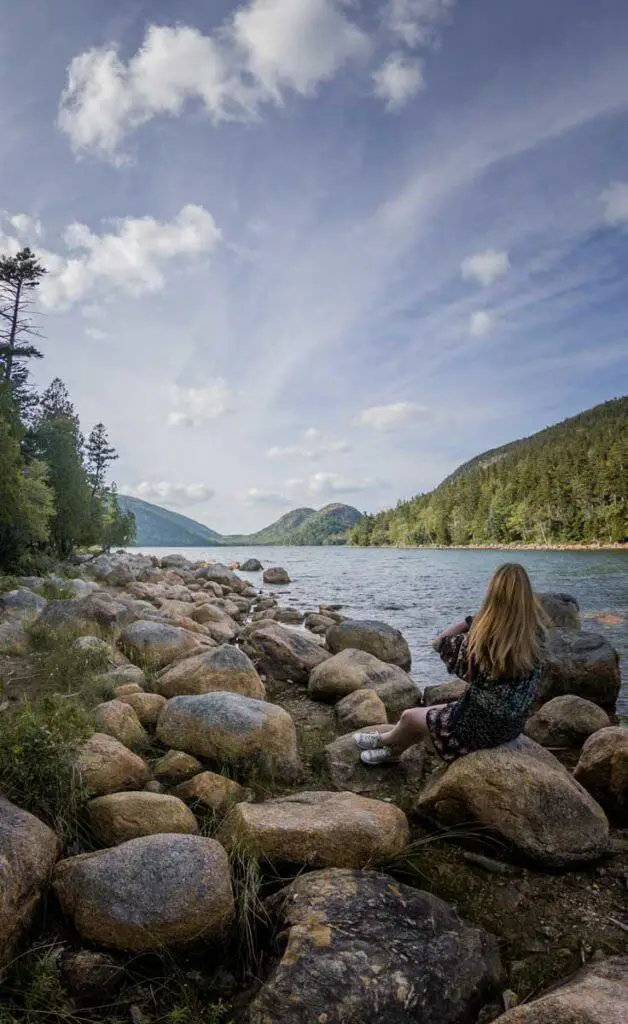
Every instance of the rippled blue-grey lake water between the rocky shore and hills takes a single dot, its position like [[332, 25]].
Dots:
[[423, 592]]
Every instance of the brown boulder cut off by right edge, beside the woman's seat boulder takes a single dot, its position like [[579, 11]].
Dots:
[[603, 771]]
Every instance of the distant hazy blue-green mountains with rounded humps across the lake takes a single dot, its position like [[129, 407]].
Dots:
[[158, 528]]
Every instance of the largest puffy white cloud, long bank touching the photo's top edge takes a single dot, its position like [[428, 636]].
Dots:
[[268, 48]]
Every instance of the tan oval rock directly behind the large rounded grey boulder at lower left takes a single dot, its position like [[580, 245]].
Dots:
[[122, 817]]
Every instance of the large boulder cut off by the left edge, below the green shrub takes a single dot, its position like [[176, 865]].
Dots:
[[28, 852]]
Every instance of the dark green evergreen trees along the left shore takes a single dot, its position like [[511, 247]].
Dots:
[[55, 495]]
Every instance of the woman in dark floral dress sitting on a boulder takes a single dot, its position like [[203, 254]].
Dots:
[[499, 655]]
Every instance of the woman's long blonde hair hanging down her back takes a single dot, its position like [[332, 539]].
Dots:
[[505, 636]]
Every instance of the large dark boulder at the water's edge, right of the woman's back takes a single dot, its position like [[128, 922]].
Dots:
[[583, 664]]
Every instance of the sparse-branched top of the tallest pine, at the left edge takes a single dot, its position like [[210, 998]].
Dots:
[[20, 277]]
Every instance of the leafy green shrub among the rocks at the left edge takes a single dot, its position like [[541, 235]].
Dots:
[[38, 747]]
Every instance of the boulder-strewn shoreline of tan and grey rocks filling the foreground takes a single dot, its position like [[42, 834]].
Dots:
[[233, 844]]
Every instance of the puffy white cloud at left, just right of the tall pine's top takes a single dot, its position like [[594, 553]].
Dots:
[[131, 259]]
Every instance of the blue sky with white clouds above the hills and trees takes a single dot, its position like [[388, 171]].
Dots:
[[319, 250]]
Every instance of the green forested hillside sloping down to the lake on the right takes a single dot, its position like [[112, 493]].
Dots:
[[567, 485]]
